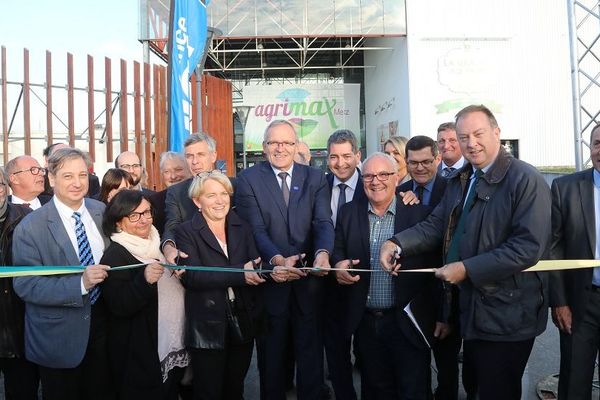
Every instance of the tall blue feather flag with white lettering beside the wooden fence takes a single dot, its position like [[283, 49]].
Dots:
[[189, 38]]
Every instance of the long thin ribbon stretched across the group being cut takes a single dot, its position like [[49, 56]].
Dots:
[[13, 271]]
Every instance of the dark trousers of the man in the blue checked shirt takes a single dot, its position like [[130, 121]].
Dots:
[[393, 366]]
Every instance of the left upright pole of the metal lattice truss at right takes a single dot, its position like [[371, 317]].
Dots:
[[575, 85]]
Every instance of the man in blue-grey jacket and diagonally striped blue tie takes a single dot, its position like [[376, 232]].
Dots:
[[64, 314]]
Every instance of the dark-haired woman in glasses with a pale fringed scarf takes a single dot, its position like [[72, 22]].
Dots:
[[146, 305]]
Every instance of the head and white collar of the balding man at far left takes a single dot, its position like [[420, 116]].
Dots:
[[26, 180]]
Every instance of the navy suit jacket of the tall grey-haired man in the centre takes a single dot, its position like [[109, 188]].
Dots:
[[304, 226]]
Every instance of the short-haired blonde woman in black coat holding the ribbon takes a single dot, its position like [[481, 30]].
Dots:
[[224, 311]]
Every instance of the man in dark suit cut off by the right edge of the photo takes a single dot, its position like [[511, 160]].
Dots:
[[575, 294]]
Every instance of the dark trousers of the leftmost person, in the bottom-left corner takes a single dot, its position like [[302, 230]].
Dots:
[[21, 379]]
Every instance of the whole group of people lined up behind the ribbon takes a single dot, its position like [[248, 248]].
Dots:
[[178, 286]]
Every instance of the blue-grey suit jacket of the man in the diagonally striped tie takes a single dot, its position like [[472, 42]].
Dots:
[[57, 316]]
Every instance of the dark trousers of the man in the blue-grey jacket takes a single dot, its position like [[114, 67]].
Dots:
[[91, 379]]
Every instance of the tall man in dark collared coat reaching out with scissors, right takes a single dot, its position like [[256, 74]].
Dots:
[[494, 222]]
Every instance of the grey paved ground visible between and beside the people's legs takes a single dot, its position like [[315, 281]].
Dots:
[[544, 361]]
